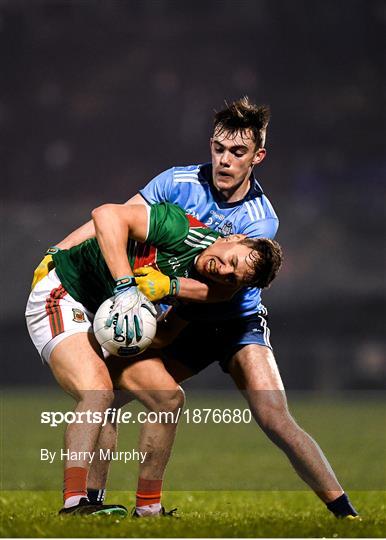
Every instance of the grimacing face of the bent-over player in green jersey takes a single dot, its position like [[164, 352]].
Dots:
[[226, 261]]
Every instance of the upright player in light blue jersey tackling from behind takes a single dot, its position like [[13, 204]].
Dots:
[[226, 196]]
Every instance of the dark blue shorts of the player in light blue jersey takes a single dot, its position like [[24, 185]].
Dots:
[[202, 343]]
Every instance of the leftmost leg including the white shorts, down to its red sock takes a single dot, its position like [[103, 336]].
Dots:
[[60, 328]]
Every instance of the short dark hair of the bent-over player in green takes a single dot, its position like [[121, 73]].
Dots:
[[265, 260]]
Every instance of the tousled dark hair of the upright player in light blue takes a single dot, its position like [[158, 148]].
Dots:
[[242, 115]]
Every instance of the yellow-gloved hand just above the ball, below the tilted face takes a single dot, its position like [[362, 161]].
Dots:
[[154, 284]]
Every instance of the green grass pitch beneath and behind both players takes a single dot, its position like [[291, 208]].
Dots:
[[213, 476]]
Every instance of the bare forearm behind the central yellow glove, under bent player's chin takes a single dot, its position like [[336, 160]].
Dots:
[[197, 291]]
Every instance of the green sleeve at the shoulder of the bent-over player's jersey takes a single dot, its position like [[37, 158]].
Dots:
[[168, 226]]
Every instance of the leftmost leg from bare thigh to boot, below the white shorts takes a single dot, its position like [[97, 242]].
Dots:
[[77, 365]]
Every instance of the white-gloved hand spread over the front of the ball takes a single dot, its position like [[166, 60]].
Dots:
[[126, 311]]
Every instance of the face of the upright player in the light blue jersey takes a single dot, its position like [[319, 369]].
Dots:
[[233, 158]]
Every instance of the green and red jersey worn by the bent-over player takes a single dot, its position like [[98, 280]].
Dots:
[[174, 240]]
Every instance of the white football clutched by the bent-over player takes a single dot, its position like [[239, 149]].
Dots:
[[119, 345]]
